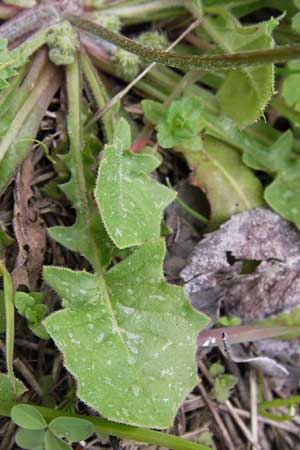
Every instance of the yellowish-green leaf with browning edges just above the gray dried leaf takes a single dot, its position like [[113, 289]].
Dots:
[[229, 185]]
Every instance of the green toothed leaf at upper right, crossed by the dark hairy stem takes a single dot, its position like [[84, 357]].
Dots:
[[246, 91]]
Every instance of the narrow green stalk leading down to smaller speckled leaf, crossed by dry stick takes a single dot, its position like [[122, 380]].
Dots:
[[99, 93]]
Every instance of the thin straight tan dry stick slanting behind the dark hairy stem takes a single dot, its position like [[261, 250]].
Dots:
[[124, 91]]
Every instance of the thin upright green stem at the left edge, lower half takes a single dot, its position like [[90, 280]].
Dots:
[[10, 322]]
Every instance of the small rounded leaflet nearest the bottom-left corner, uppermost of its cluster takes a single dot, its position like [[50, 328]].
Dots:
[[26, 416]]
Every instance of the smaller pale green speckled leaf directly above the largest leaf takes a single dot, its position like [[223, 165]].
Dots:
[[131, 203]]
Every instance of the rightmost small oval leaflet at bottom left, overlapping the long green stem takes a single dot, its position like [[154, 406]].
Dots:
[[72, 429]]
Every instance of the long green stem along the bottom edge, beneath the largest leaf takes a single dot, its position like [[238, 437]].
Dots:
[[120, 430]]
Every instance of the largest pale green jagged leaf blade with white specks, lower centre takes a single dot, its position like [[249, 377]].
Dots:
[[129, 339]]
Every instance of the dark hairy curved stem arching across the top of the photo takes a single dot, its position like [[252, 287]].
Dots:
[[211, 62]]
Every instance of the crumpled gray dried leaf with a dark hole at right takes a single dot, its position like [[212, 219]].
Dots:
[[273, 287]]
